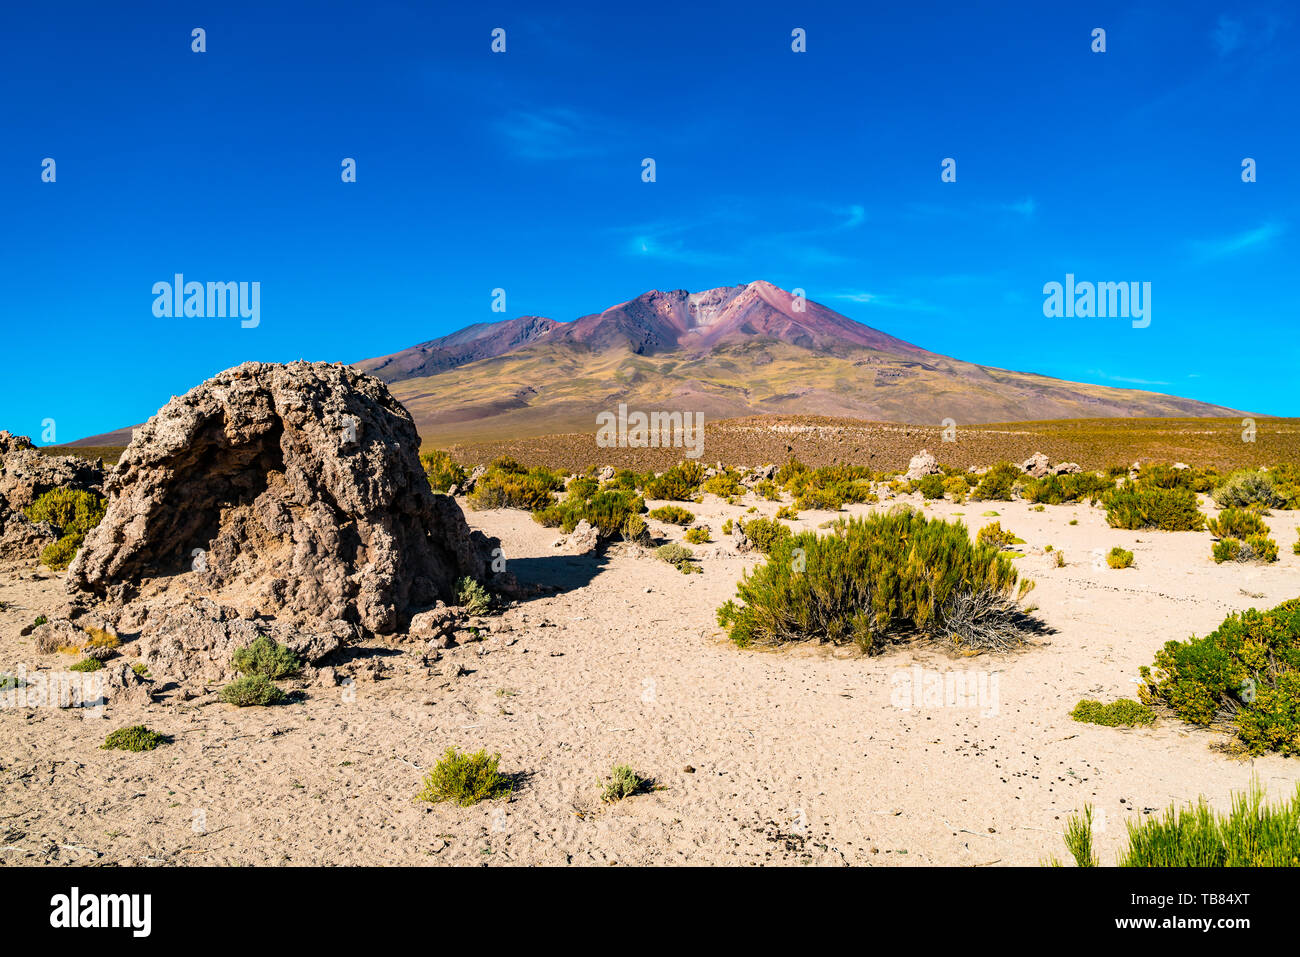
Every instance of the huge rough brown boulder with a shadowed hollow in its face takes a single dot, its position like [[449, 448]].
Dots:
[[278, 492]]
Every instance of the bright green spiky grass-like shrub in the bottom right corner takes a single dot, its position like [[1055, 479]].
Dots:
[[1253, 835]]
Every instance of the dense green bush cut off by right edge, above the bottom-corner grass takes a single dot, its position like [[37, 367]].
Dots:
[[1243, 678]]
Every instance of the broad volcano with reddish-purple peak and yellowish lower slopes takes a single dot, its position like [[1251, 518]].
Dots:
[[734, 352]]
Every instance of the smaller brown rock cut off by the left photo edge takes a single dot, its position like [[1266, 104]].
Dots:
[[27, 474]]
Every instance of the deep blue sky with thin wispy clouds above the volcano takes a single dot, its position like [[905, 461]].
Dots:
[[523, 171]]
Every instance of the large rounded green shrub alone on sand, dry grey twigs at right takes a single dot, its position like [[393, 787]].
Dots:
[[876, 579]]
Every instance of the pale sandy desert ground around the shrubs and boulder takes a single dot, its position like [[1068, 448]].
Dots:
[[803, 756]]
